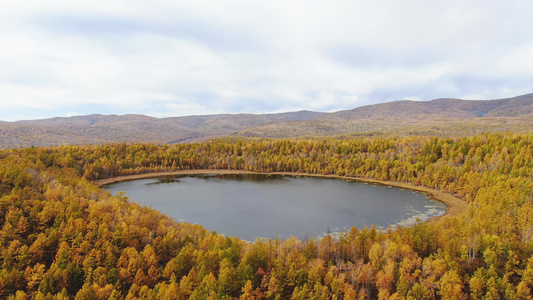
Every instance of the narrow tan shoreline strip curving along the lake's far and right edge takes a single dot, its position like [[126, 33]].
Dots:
[[454, 205]]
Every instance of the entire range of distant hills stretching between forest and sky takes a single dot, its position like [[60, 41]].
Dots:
[[440, 117]]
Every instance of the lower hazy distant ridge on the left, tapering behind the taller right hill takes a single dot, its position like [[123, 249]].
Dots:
[[98, 129]]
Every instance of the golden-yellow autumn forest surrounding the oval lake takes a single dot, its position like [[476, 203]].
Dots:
[[64, 237]]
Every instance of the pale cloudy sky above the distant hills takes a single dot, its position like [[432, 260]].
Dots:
[[176, 58]]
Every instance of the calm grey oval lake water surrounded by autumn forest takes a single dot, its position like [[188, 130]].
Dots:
[[251, 205]]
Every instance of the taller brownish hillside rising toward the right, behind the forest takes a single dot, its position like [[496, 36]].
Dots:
[[439, 117]]
